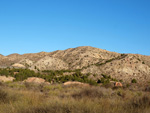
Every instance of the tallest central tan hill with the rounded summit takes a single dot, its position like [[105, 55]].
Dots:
[[80, 57]]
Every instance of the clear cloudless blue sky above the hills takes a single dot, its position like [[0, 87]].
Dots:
[[29, 26]]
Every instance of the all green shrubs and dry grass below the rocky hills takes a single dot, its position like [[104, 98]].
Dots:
[[97, 97]]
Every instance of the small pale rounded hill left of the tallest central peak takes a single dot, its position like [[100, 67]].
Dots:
[[50, 63]]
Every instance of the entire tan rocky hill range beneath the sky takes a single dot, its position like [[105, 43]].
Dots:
[[87, 59]]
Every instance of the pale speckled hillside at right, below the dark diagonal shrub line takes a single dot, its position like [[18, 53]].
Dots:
[[124, 69]]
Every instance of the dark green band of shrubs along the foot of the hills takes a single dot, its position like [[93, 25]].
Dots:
[[49, 75]]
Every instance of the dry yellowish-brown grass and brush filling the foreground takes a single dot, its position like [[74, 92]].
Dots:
[[59, 99]]
